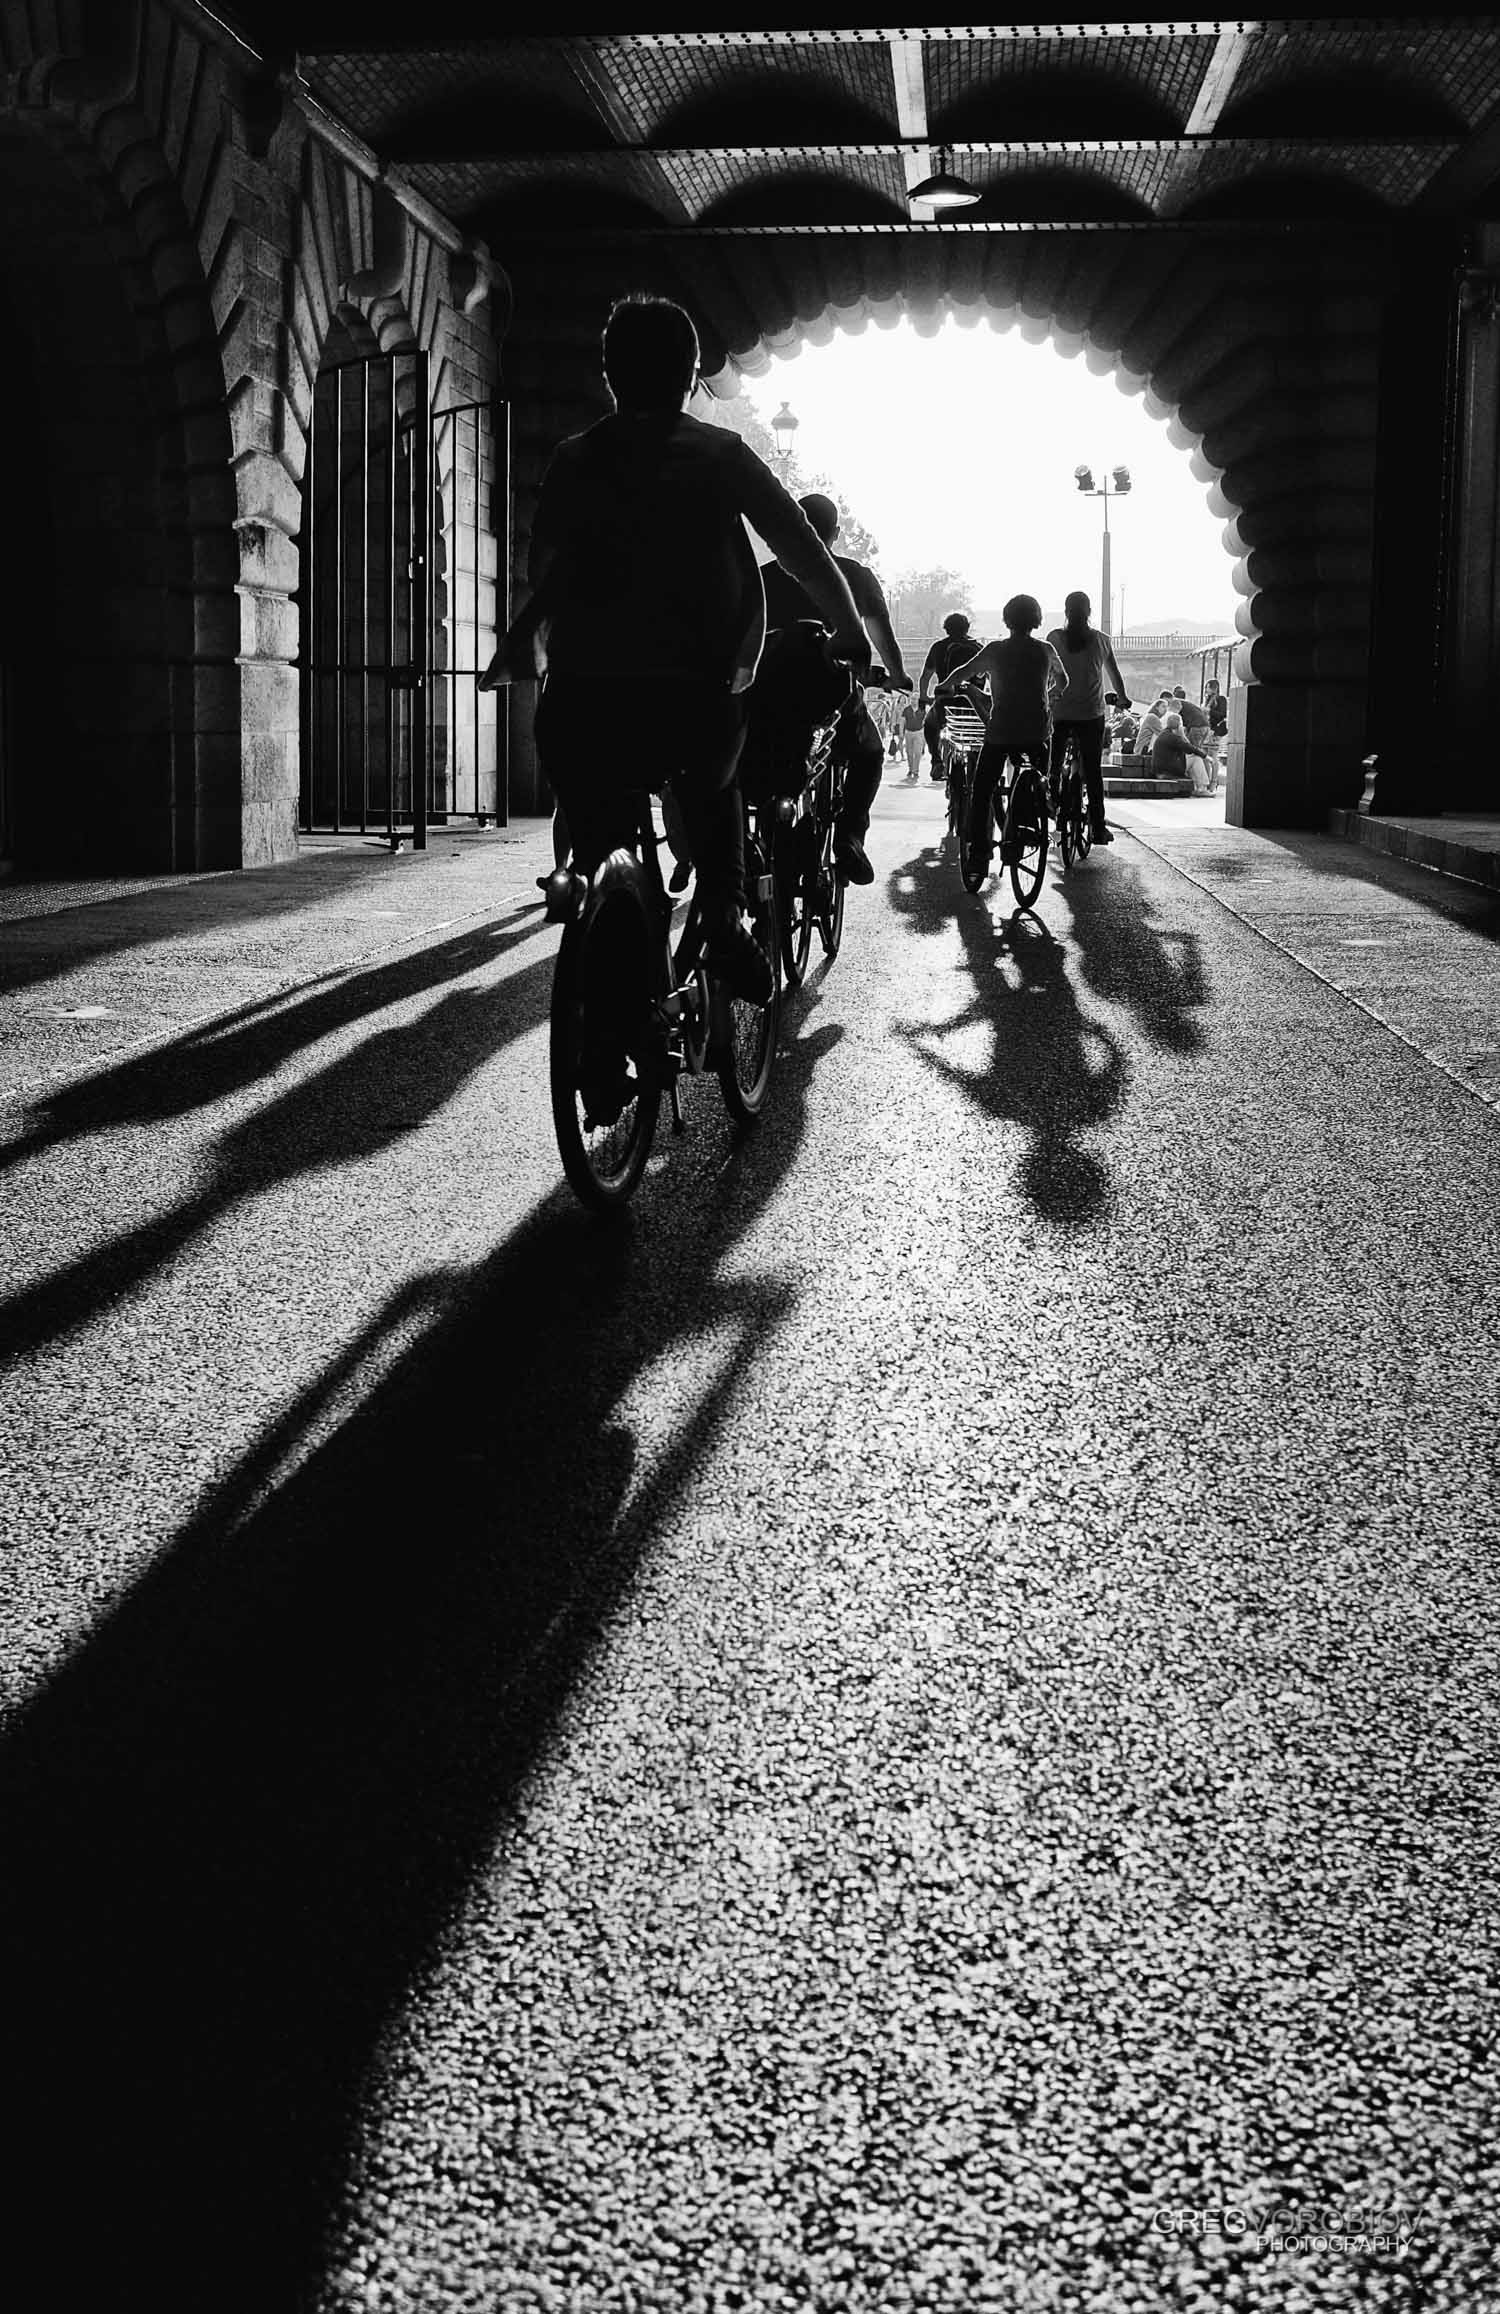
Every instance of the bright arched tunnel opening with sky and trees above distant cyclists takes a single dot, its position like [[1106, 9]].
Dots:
[[957, 450]]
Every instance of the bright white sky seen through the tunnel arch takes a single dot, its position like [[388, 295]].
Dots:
[[962, 450]]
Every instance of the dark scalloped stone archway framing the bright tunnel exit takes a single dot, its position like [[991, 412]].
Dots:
[[1265, 360]]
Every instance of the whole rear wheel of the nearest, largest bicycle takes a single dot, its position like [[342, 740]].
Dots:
[[605, 1075]]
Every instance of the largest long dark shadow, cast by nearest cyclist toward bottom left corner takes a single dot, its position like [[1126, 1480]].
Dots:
[[242, 1813]]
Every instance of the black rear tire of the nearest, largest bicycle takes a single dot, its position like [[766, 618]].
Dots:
[[605, 950]]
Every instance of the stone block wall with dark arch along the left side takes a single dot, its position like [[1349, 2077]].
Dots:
[[175, 251]]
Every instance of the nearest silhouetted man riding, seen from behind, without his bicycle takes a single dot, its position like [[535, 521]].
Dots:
[[649, 617]]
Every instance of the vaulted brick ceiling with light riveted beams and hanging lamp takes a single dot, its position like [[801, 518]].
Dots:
[[666, 133]]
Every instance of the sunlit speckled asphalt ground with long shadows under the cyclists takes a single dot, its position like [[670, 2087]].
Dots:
[[916, 1727]]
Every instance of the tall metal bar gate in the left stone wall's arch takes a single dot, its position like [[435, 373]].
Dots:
[[404, 587]]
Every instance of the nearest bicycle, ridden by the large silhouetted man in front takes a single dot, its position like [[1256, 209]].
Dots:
[[633, 1015]]
